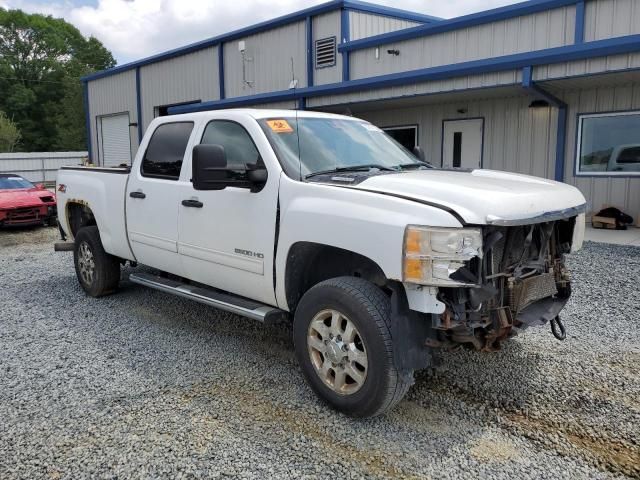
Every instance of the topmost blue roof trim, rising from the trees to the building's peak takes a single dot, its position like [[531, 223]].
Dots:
[[261, 27]]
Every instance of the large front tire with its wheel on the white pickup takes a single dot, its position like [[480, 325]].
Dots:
[[342, 337]]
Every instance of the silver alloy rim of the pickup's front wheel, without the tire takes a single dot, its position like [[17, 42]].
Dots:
[[337, 352]]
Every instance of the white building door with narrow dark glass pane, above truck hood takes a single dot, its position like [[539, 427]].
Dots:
[[462, 147]]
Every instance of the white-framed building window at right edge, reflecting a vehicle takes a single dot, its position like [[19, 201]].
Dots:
[[609, 144]]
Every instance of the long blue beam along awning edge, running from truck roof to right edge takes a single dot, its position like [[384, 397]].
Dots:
[[600, 48]]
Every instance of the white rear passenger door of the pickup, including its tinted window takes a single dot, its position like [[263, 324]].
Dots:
[[153, 197]]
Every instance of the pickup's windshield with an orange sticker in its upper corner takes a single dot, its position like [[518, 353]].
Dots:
[[310, 146]]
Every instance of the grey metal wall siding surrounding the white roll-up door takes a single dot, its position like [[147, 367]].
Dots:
[[113, 94]]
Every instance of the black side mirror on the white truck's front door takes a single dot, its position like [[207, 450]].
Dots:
[[209, 167]]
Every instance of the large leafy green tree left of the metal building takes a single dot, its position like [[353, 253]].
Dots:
[[41, 61]]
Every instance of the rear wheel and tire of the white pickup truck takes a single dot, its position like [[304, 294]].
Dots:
[[97, 271]]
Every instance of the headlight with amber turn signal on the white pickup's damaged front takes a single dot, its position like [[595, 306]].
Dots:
[[432, 255]]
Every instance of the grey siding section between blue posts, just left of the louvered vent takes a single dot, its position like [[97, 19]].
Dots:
[[270, 69]]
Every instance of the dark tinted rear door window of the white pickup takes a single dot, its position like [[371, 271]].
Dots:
[[166, 149]]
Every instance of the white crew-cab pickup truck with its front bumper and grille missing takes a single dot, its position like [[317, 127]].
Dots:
[[323, 220]]
